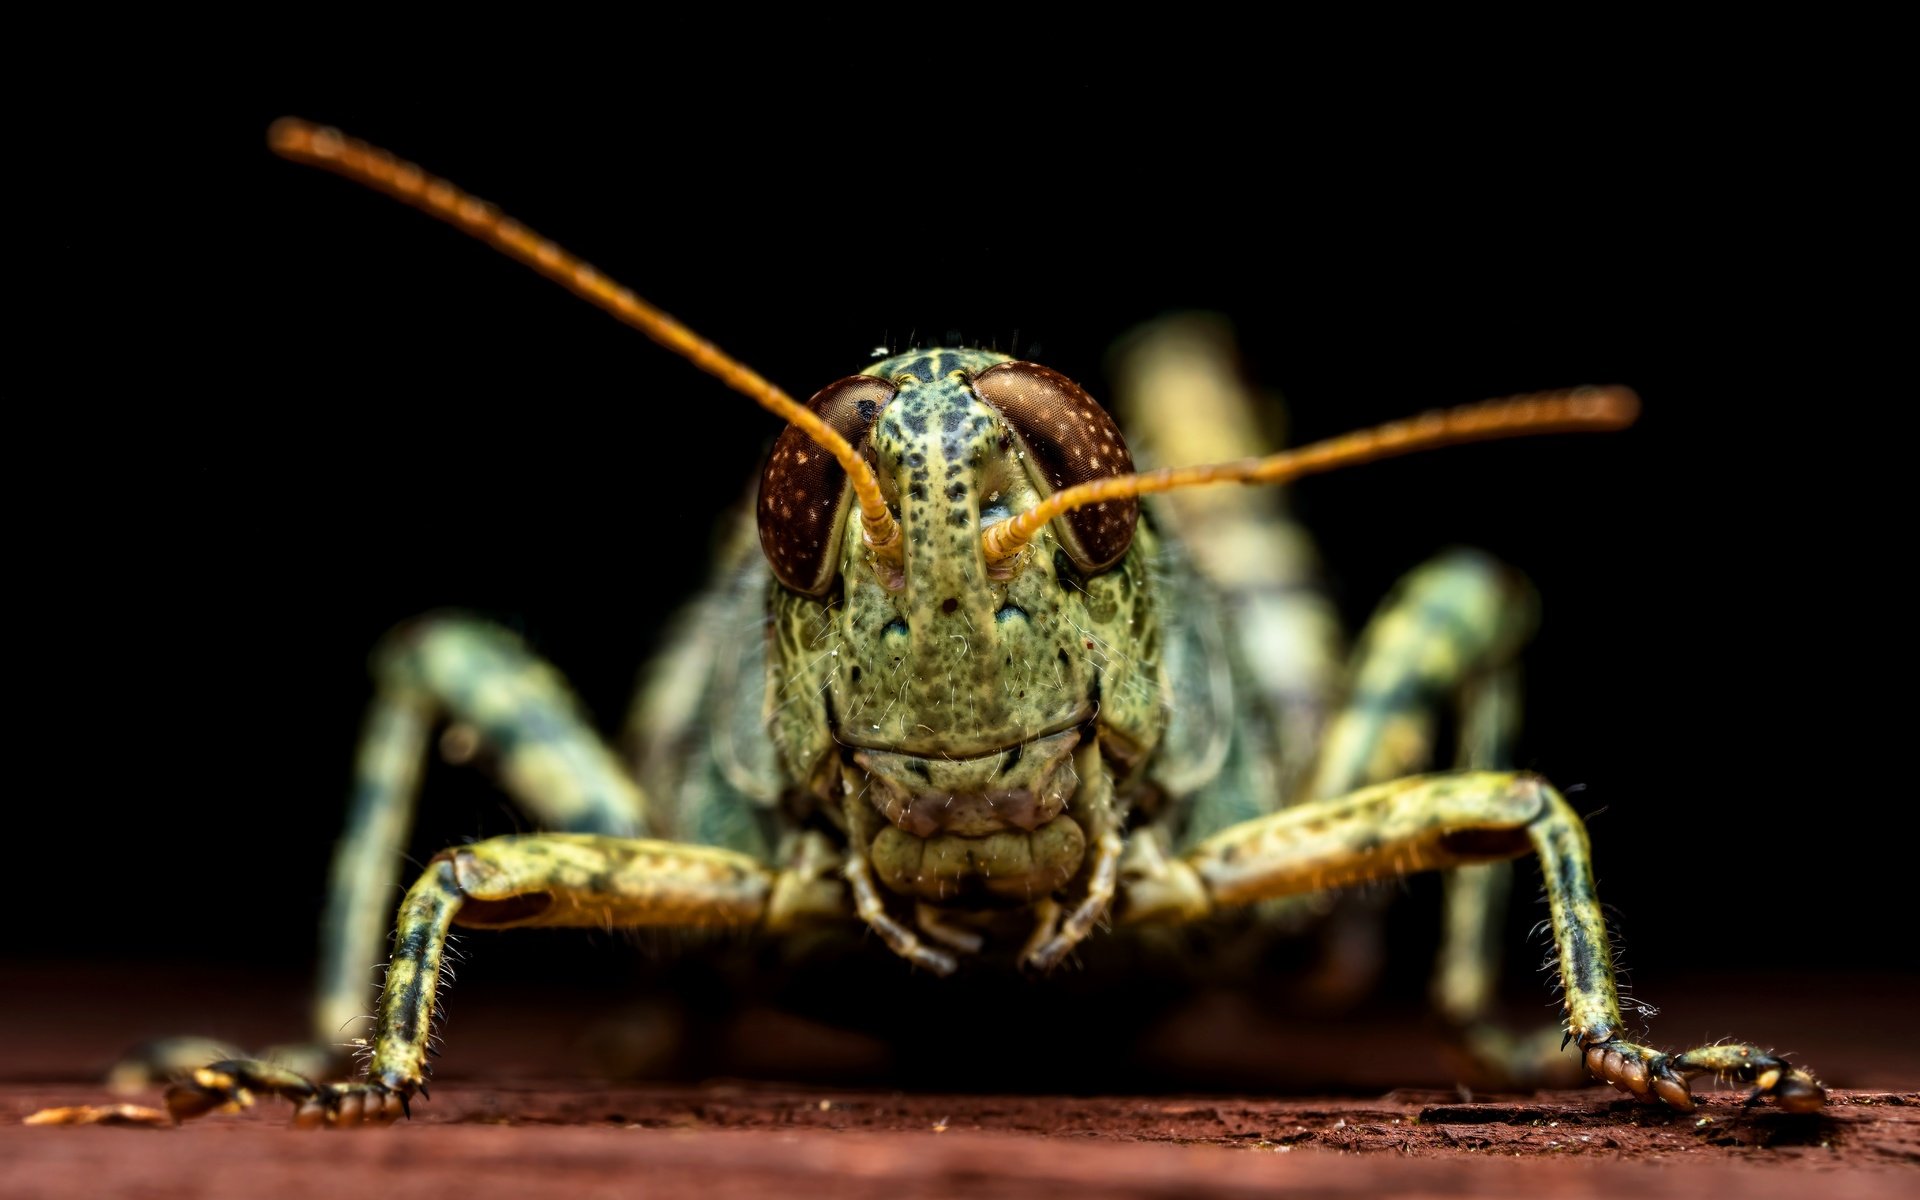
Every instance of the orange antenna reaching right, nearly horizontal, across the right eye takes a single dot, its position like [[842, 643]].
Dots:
[[1583, 410]]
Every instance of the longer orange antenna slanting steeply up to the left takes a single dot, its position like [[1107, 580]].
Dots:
[[375, 168]]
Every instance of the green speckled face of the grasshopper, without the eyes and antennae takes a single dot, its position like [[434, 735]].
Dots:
[[959, 696]]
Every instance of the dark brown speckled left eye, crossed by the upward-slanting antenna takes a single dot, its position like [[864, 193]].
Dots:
[[804, 491]]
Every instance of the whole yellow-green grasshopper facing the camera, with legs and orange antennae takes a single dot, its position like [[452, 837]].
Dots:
[[990, 706]]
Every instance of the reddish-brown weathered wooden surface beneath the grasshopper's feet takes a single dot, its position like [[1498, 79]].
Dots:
[[731, 1141]]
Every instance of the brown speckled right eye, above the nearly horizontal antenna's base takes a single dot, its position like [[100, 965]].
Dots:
[[1068, 441]]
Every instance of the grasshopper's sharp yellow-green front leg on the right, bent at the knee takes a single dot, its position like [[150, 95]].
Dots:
[[1431, 823]]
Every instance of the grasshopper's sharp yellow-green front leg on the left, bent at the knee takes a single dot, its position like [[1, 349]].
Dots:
[[581, 880]]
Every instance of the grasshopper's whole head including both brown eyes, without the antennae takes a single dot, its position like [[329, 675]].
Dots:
[[959, 706]]
